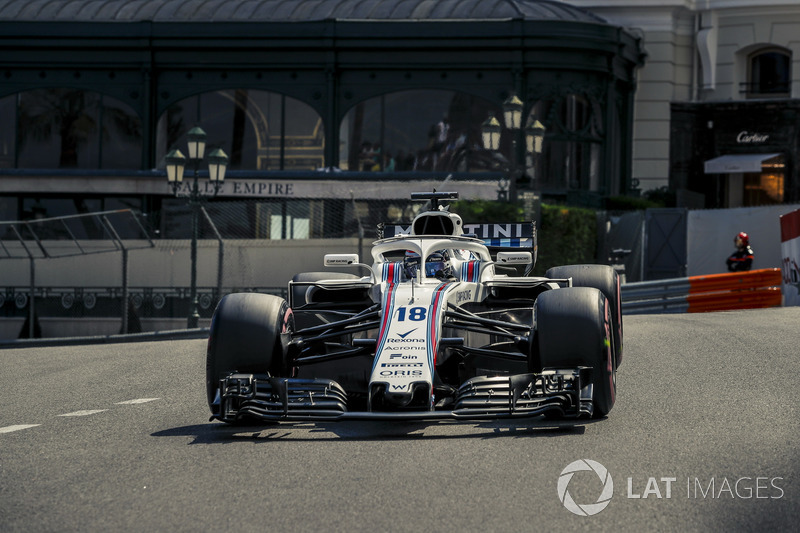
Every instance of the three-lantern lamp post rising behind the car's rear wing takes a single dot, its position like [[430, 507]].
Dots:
[[534, 136]]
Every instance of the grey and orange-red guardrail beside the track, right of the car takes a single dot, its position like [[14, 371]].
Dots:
[[698, 294]]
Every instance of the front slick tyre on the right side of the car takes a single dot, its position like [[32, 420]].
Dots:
[[574, 328]]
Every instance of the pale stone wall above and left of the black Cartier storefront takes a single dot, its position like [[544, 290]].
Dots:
[[697, 51]]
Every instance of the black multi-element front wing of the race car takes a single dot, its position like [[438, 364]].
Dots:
[[566, 392]]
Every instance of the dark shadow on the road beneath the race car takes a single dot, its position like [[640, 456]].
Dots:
[[221, 433]]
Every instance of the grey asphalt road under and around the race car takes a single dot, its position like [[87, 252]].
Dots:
[[705, 432]]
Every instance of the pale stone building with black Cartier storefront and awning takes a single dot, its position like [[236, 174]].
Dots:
[[716, 110]]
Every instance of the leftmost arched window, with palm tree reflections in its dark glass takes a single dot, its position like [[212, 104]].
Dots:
[[68, 128]]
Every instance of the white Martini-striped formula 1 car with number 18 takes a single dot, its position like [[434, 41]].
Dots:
[[437, 328]]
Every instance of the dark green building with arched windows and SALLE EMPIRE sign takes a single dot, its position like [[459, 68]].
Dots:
[[94, 94]]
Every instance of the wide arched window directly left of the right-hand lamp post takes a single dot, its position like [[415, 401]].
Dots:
[[416, 130]]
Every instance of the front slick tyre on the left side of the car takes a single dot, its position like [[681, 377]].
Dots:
[[245, 336]]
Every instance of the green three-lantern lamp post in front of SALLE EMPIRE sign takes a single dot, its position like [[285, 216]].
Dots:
[[217, 164]]
